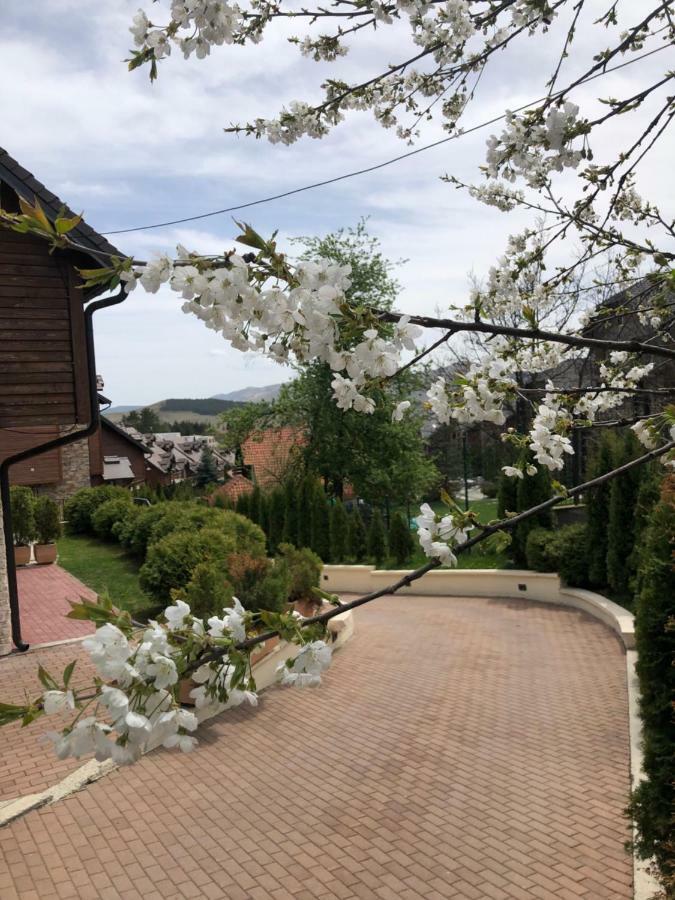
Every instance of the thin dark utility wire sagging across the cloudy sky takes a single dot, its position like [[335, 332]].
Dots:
[[374, 168]]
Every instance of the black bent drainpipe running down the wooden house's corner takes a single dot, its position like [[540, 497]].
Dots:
[[94, 421]]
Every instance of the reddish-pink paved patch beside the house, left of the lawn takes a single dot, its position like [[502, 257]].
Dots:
[[44, 592]]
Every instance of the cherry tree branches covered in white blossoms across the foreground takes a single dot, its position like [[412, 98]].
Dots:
[[260, 301]]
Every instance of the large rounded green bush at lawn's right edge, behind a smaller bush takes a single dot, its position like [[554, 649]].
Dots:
[[171, 561]]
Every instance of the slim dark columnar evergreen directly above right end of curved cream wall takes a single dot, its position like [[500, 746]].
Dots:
[[623, 496]]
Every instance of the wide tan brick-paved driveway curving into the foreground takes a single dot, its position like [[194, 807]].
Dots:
[[458, 749]]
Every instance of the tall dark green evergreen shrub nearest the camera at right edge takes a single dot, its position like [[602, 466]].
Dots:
[[653, 802]]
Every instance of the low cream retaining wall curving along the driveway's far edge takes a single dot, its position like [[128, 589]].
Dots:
[[505, 583]]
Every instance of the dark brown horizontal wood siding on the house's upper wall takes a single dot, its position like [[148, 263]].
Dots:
[[43, 355]]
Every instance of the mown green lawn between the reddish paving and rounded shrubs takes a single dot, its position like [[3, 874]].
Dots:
[[103, 567]]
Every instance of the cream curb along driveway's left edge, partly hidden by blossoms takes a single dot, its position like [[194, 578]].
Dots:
[[341, 629]]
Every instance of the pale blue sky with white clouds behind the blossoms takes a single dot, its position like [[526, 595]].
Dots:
[[129, 153]]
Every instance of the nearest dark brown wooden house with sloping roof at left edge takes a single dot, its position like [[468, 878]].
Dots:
[[47, 369]]
